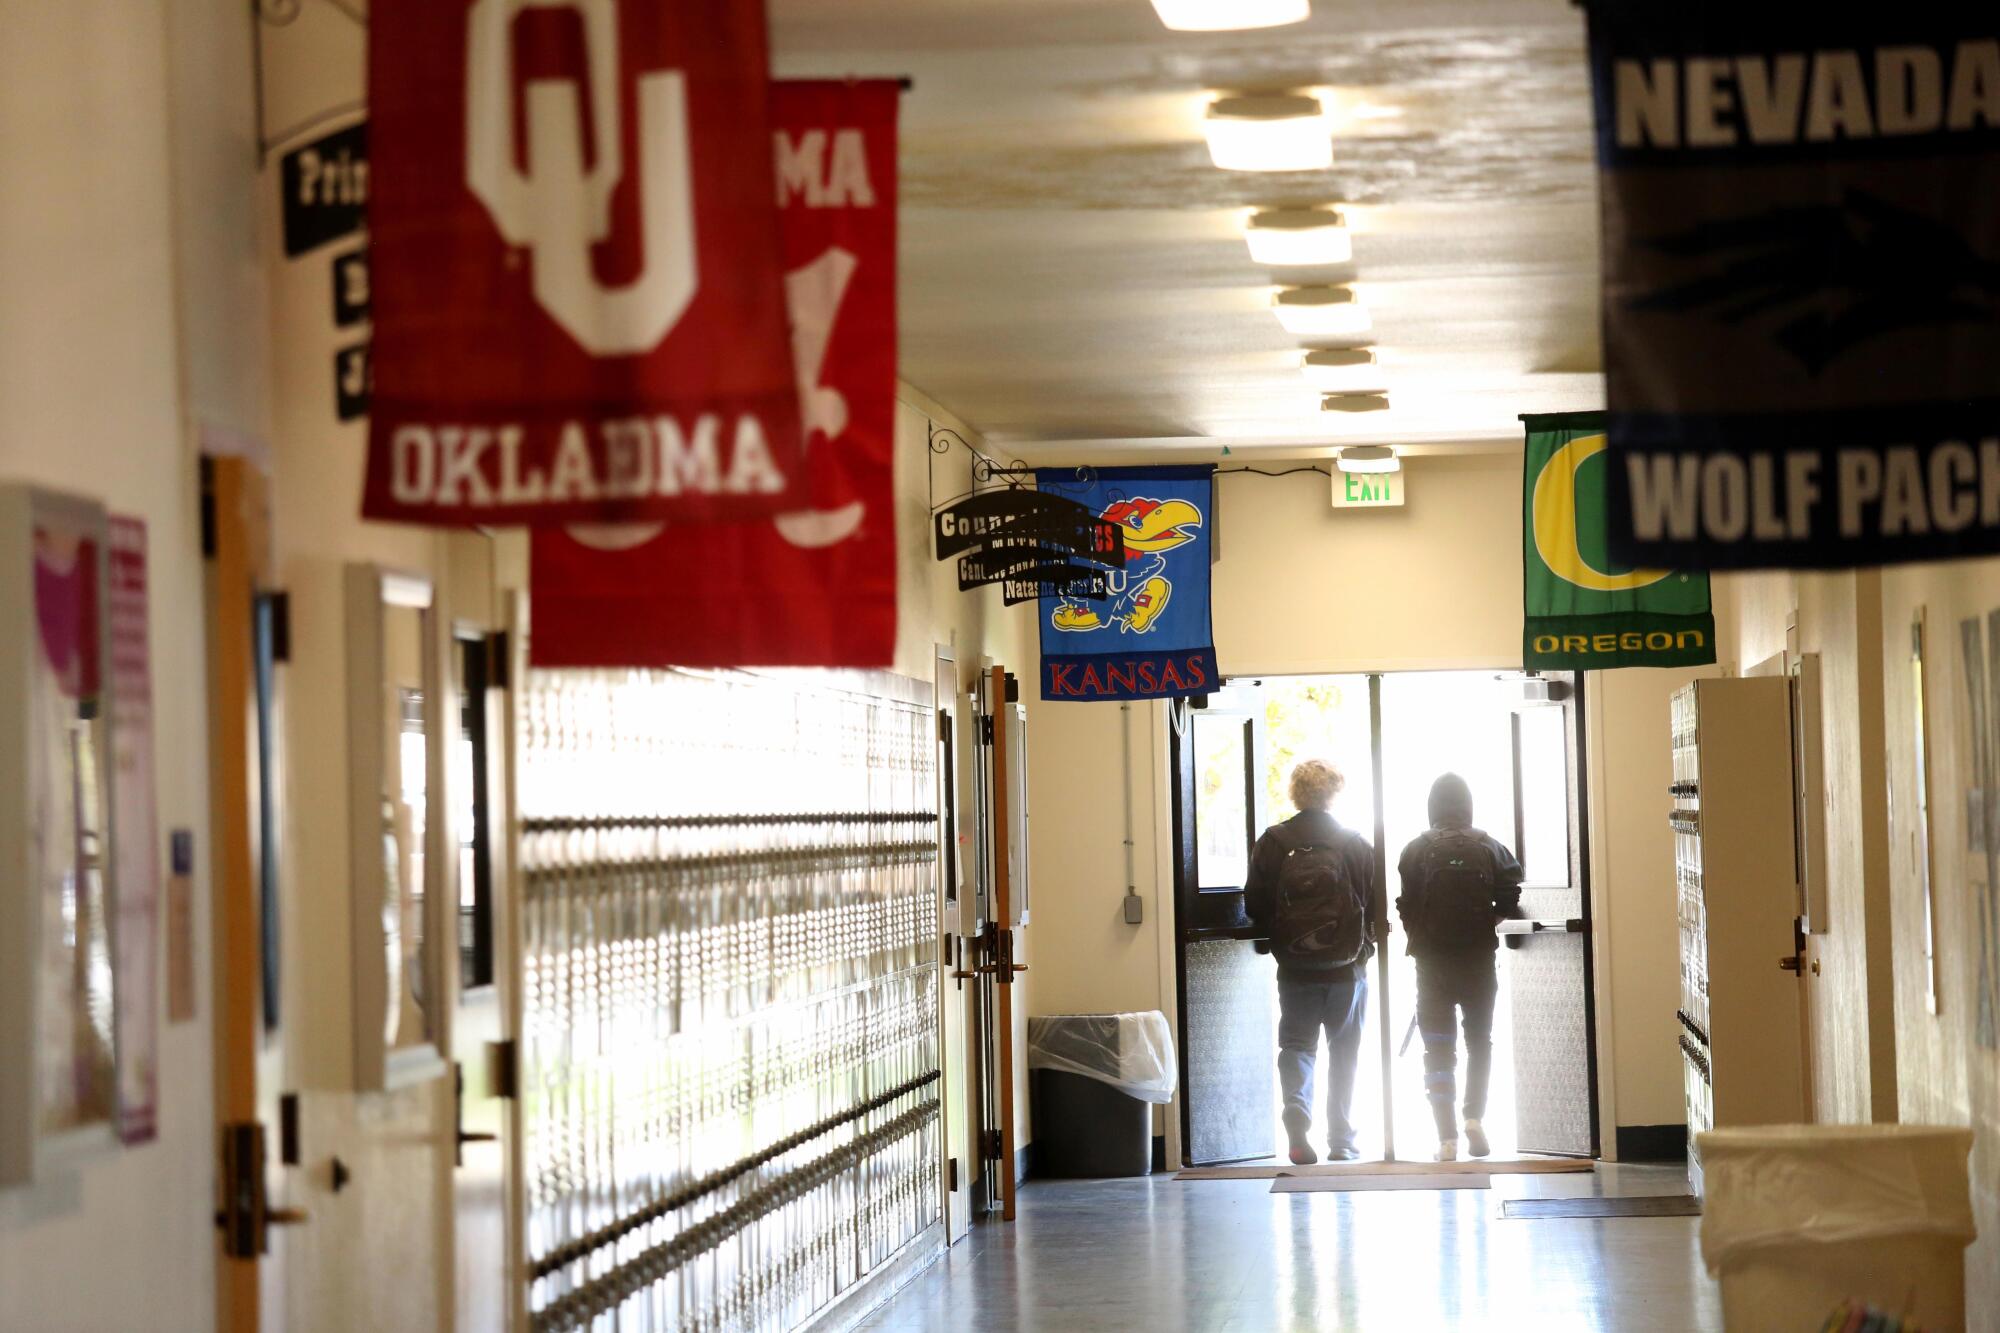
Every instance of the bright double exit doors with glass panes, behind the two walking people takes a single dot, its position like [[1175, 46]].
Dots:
[[1391, 736]]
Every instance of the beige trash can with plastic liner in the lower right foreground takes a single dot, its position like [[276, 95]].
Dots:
[[1803, 1220]]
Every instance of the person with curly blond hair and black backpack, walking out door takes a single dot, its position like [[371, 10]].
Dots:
[[1313, 886]]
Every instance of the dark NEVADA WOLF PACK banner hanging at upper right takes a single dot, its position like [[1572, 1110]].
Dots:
[[1801, 281]]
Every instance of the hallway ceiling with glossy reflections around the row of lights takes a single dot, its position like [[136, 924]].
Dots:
[[1075, 279]]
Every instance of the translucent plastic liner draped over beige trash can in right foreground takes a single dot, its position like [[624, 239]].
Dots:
[[1783, 1188]]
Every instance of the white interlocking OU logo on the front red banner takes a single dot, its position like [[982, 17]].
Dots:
[[559, 209]]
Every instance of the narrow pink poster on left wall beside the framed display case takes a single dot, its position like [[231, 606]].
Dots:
[[135, 850]]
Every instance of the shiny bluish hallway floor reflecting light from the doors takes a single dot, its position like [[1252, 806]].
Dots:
[[1201, 1256]]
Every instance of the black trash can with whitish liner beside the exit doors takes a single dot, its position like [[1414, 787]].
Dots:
[[1095, 1080]]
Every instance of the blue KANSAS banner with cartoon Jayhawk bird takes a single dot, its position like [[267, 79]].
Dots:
[[1149, 637]]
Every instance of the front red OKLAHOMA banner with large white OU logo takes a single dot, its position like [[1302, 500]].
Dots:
[[579, 311]]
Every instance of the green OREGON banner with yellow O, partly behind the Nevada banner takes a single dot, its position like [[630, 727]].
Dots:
[[1585, 611]]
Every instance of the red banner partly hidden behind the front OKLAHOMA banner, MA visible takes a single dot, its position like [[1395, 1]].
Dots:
[[815, 587]]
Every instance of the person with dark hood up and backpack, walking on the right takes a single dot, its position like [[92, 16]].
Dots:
[[1457, 886]]
